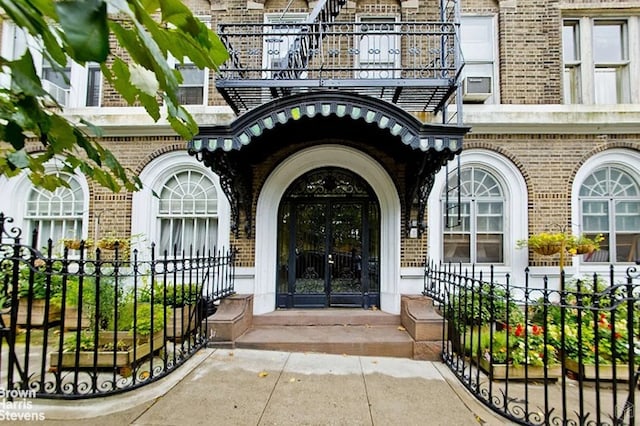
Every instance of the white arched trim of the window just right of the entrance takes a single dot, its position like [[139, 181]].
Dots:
[[516, 213]]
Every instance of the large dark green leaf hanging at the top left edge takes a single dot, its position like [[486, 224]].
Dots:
[[84, 23]]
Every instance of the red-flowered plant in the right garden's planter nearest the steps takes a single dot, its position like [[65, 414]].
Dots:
[[519, 345]]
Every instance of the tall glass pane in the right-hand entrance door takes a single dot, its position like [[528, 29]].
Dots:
[[346, 249]]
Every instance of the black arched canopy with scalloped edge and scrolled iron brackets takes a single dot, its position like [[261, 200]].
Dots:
[[434, 144]]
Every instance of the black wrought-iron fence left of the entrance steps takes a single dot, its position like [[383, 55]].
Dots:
[[79, 321]]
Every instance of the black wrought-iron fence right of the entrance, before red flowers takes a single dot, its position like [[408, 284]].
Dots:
[[560, 353]]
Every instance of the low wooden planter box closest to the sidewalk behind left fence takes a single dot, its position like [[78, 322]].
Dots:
[[105, 359]]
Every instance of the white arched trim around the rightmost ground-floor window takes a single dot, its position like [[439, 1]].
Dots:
[[625, 159]]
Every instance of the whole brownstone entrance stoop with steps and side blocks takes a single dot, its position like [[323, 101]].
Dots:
[[334, 330]]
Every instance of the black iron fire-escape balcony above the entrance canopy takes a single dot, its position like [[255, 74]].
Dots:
[[414, 65]]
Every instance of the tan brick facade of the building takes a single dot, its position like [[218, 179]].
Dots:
[[530, 73]]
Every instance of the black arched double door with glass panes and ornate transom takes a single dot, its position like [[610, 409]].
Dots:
[[328, 242]]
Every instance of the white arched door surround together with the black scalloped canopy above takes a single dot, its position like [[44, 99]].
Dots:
[[325, 129]]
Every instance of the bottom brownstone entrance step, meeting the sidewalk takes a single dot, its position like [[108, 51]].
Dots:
[[365, 340]]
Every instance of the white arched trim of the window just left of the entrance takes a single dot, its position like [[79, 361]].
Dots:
[[144, 209]]
